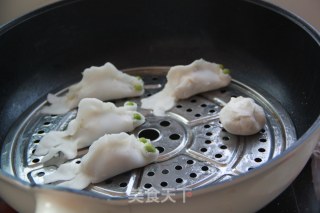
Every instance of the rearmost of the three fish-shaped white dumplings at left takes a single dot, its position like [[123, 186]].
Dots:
[[104, 83]]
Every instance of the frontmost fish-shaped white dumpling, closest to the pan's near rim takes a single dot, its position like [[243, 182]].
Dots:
[[109, 156]]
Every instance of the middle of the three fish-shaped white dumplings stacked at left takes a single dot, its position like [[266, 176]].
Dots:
[[94, 119]]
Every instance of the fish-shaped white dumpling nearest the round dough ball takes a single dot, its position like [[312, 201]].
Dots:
[[186, 81]]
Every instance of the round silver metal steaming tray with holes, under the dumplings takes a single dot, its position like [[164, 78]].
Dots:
[[195, 150]]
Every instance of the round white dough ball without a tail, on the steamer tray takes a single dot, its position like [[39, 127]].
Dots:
[[242, 116]]
